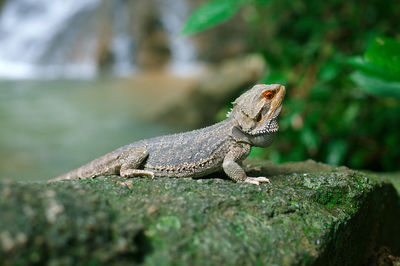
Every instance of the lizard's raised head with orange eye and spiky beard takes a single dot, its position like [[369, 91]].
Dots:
[[257, 110]]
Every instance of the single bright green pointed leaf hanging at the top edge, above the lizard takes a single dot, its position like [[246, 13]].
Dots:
[[211, 14]]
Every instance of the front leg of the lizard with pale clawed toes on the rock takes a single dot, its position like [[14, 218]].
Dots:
[[235, 171]]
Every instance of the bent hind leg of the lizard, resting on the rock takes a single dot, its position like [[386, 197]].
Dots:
[[130, 164]]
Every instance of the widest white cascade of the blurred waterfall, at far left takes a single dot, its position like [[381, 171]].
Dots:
[[29, 32]]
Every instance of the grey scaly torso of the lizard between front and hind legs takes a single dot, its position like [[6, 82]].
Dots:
[[188, 154]]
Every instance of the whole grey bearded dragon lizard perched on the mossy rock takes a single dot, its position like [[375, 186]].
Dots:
[[252, 121]]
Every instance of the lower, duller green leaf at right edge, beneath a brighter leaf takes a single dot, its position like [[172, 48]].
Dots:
[[375, 85]]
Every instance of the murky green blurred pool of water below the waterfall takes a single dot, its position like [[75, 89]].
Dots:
[[50, 127]]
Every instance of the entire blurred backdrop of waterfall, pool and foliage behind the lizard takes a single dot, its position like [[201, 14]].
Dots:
[[79, 78]]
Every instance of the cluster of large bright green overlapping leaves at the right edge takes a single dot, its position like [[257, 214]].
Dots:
[[379, 70]]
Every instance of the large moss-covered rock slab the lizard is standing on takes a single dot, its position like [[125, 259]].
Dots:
[[310, 214]]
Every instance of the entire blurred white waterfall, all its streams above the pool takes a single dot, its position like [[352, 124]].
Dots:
[[62, 38]]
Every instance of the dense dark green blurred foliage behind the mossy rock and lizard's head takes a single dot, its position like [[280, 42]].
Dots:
[[327, 115]]
